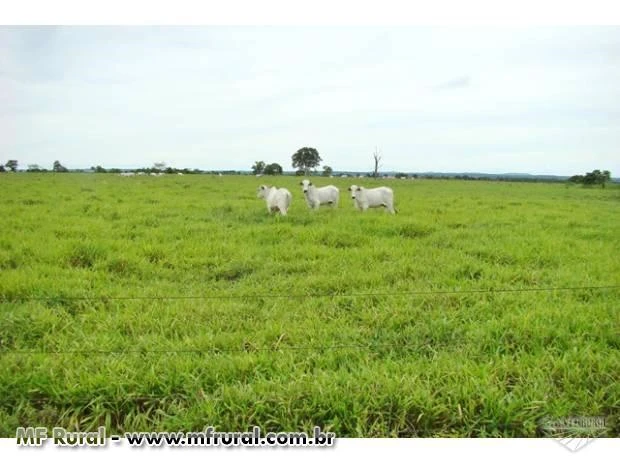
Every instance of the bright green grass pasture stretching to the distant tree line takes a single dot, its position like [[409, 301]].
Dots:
[[175, 303]]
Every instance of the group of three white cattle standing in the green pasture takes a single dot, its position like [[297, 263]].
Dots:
[[279, 199]]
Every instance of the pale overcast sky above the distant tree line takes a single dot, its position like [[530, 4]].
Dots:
[[535, 100]]
